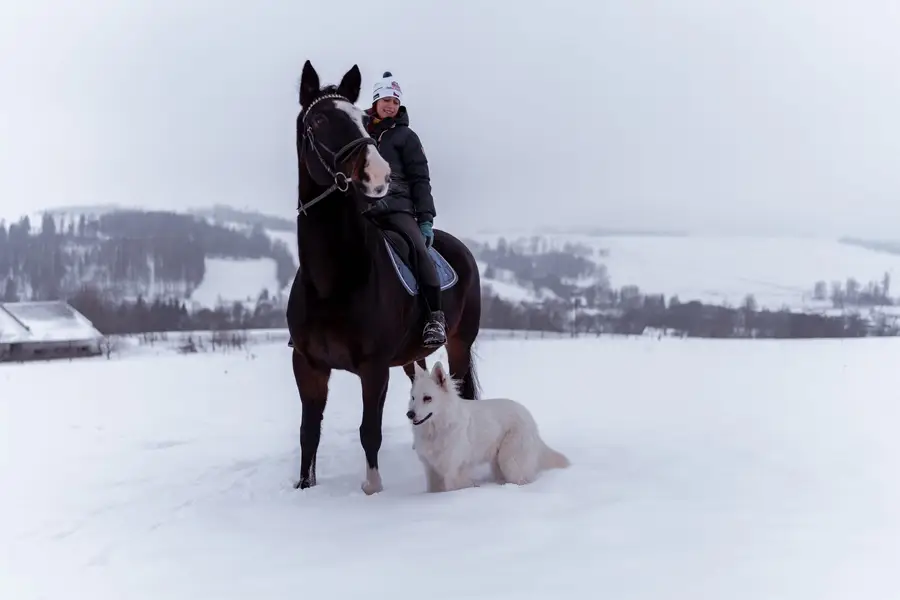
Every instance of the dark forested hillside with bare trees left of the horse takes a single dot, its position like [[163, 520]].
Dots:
[[126, 253]]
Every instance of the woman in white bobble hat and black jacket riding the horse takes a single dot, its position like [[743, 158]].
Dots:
[[408, 206]]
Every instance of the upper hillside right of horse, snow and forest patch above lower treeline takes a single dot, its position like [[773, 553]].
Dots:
[[777, 271]]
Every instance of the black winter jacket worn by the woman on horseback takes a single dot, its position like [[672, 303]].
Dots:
[[410, 189]]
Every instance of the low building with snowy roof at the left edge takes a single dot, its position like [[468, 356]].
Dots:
[[44, 331]]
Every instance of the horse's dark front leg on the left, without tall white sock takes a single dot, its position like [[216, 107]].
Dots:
[[312, 383]]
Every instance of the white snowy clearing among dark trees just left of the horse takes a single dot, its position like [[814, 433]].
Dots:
[[230, 280]]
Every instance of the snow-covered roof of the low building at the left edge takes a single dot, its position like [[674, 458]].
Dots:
[[44, 322]]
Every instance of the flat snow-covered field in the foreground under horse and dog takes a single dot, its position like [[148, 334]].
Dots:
[[701, 469]]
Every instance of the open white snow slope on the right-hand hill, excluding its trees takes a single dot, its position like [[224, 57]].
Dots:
[[778, 271]]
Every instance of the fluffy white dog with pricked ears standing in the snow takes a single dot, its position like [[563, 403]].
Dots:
[[452, 435]]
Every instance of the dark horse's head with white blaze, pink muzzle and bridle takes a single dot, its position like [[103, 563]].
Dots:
[[332, 142]]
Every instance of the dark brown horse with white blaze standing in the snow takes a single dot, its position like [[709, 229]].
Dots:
[[354, 304]]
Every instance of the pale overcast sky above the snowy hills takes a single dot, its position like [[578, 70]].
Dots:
[[775, 116]]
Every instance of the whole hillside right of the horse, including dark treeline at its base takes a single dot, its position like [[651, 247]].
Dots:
[[736, 286]]
